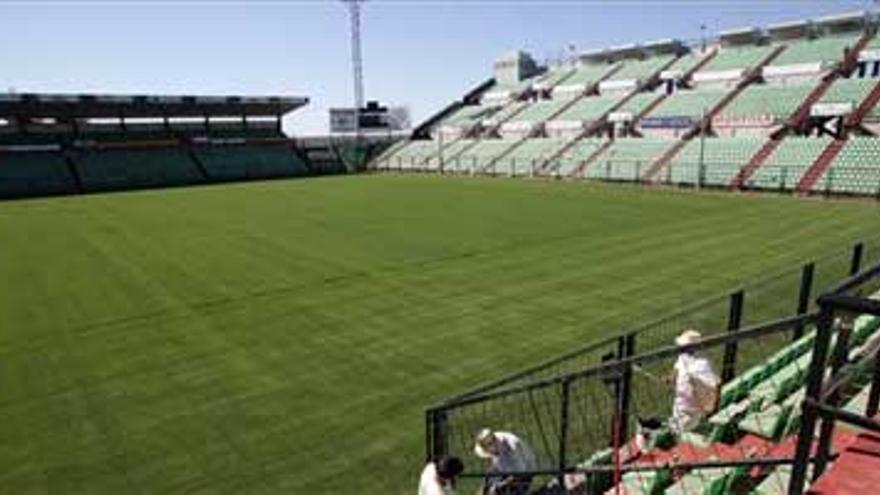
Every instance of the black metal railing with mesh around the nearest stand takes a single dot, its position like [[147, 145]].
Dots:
[[574, 406]]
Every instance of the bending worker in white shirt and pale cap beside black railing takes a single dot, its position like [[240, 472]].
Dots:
[[507, 455]]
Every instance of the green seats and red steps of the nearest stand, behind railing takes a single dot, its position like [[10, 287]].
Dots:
[[750, 406]]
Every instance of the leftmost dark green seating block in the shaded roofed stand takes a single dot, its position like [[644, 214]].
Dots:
[[34, 173]]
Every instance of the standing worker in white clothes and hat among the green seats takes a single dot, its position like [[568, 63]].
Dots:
[[697, 386]]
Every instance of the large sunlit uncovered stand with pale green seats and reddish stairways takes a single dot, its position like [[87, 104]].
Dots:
[[778, 107]]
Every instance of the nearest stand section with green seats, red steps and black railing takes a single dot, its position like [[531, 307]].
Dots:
[[586, 412]]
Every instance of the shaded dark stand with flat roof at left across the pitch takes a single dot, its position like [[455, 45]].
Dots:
[[67, 144]]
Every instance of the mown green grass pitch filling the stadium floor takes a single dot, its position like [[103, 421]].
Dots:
[[285, 337]]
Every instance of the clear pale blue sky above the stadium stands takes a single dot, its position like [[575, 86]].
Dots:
[[421, 54]]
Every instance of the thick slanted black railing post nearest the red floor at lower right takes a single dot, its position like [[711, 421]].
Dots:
[[814, 391]]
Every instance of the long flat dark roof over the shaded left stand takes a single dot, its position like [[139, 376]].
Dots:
[[143, 106]]
